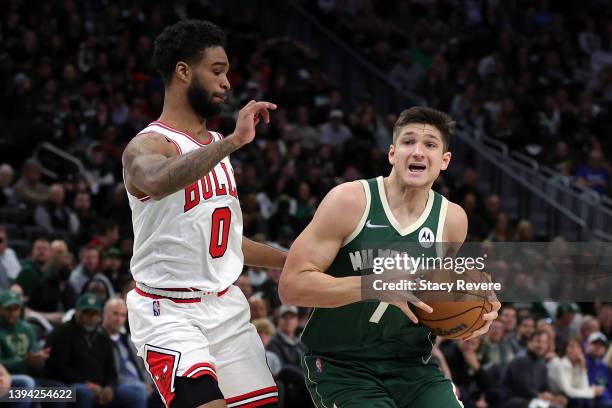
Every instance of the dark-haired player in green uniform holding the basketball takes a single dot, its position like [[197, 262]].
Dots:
[[364, 353]]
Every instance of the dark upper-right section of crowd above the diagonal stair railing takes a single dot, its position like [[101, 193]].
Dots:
[[536, 75]]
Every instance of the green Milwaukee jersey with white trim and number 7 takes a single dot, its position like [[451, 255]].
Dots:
[[371, 329]]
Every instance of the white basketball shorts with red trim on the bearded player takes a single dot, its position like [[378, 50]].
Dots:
[[210, 335]]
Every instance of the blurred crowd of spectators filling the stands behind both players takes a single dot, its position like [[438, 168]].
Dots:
[[77, 75]]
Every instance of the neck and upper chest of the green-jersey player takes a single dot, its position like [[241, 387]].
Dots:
[[405, 202]]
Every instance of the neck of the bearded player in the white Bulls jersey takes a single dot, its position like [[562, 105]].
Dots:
[[179, 115]]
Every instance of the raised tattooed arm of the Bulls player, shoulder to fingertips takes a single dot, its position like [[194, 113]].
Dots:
[[151, 168]]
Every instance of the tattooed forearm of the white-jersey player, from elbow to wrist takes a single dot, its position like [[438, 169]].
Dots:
[[171, 175]]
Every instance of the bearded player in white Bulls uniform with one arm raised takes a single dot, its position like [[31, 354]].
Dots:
[[189, 323]]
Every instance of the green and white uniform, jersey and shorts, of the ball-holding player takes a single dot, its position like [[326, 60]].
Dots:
[[369, 354]]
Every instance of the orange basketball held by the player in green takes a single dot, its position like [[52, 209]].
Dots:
[[457, 309]]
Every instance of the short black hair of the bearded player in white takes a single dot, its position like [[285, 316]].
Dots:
[[184, 41]]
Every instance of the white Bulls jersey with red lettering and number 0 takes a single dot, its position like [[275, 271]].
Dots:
[[191, 239]]
